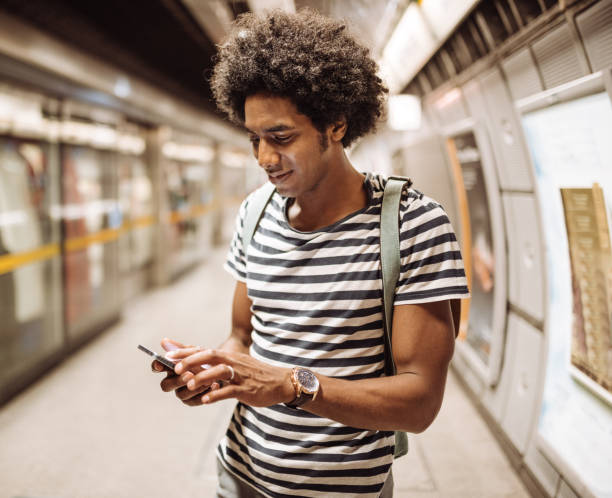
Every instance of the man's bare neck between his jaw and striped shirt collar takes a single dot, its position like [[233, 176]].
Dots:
[[338, 195]]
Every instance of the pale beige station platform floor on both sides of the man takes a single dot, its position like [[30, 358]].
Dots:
[[99, 426]]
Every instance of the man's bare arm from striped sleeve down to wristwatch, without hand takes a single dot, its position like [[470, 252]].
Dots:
[[423, 344]]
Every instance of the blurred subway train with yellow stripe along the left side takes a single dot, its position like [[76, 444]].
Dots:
[[98, 203]]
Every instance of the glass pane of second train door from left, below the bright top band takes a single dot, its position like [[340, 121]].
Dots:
[[92, 218]]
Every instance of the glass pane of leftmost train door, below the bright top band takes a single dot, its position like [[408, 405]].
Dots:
[[30, 277]]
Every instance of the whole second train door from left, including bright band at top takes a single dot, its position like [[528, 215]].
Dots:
[[92, 219]]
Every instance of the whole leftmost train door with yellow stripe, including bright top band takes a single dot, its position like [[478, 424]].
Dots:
[[30, 270]]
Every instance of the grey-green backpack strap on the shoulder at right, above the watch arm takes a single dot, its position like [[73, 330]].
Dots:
[[390, 263]]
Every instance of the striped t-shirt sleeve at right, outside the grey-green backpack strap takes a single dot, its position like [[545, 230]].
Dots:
[[431, 264]]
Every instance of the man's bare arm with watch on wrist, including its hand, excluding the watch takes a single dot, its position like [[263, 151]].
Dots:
[[423, 344]]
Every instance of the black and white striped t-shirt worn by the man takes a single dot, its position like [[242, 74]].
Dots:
[[317, 303]]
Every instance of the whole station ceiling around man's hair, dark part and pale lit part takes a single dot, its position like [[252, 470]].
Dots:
[[168, 43]]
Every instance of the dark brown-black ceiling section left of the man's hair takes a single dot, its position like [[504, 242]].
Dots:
[[158, 41]]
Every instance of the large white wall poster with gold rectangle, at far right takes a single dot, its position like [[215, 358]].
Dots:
[[571, 147]]
